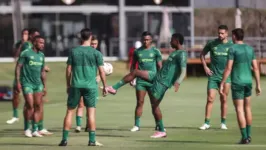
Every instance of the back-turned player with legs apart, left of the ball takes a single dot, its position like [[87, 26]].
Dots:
[[82, 64]]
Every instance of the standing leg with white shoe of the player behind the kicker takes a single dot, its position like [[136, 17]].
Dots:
[[140, 94]]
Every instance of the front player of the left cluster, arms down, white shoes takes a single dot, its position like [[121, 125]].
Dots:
[[31, 78]]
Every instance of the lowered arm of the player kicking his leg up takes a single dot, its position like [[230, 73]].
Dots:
[[183, 65]]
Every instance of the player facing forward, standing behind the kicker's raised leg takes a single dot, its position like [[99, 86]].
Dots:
[[149, 59]]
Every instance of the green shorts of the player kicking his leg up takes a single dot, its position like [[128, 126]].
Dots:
[[158, 90]]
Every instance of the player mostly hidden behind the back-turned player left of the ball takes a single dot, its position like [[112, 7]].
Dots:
[[79, 113]]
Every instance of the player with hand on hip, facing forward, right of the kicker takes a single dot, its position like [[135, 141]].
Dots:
[[218, 49]]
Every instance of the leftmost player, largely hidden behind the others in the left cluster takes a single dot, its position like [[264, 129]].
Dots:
[[16, 97]]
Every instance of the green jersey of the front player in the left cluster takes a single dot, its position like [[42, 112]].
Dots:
[[33, 63]]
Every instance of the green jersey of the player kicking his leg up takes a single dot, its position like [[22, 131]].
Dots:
[[171, 69]]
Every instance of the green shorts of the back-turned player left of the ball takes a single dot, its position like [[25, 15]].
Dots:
[[90, 97]]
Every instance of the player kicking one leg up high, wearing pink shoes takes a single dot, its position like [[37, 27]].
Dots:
[[172, 73]]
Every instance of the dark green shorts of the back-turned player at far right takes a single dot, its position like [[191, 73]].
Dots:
[[241, 91]]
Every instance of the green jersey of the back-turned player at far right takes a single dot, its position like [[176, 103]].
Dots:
[[242, 55]]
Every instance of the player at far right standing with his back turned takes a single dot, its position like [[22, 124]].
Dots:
[[241, 59]]
